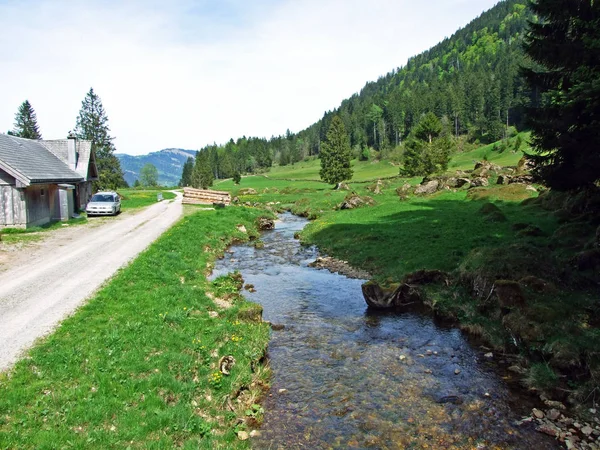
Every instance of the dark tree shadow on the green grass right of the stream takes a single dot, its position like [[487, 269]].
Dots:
[[434, 234]]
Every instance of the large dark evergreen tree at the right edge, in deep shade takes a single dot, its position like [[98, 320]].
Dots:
[[565, 47]]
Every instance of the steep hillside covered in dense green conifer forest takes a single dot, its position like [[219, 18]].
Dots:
[[470, 81]]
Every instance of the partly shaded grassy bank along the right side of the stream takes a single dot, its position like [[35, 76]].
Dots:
[[520, 269]]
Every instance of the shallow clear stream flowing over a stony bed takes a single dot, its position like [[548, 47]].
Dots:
[[347, 377]]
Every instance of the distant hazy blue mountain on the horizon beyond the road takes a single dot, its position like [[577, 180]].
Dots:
[[169, 163]]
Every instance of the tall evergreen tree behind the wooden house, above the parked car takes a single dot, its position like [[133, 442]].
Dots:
[[92, 125]]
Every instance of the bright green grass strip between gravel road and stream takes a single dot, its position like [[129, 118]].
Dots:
[[136, 367]]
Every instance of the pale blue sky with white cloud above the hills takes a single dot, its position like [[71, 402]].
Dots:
[[188, 73]]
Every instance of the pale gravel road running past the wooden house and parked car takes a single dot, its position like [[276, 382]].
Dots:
[[44, 285]]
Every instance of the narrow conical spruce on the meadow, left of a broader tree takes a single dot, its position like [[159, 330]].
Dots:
[[336, 154]]
